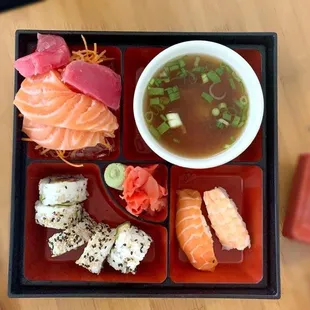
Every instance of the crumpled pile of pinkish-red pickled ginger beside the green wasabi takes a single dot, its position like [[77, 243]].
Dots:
[[142, 192]]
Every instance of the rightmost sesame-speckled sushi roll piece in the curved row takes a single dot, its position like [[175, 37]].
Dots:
[[130, 248]]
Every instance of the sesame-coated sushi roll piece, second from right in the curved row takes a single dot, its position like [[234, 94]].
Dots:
[[97, 249]]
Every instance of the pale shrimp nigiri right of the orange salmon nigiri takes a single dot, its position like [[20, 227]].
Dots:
[[226, 220]]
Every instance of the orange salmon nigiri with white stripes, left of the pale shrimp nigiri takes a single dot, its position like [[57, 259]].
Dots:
[[193, 232]]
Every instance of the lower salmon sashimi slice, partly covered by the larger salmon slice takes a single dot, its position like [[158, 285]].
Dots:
[[64, 139]]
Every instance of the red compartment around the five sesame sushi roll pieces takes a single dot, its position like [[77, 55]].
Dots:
[[40, 266]]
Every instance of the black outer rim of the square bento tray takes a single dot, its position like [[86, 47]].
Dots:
[[18, 286]]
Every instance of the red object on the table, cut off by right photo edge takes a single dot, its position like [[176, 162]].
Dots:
[[297, 220]]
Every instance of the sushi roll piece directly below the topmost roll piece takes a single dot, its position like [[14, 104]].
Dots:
[[57, 217]]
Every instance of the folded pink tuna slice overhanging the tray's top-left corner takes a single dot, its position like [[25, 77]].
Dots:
[[52, 52]]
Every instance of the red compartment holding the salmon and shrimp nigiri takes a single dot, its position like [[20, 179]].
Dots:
[[244, 185]]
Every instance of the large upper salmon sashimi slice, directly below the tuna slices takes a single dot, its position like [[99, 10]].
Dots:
[[46, 100]]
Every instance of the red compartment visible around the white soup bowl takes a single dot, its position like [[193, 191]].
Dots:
[[136, 59]]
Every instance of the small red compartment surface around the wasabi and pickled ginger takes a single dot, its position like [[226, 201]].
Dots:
[[161, 176]]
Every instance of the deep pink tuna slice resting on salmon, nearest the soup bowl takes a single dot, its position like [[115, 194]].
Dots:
[[97, 81]]
